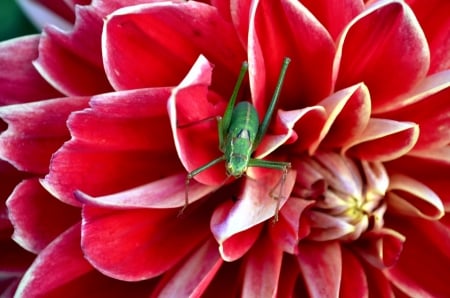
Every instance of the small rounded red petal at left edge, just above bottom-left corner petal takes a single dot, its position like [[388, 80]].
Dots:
[[38, 218]]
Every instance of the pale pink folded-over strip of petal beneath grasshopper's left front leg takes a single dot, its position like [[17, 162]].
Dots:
[[164, 193]]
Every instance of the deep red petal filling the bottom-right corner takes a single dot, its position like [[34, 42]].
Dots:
[[423, 267]]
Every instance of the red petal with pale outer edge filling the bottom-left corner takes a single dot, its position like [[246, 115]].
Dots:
[[75, 276]]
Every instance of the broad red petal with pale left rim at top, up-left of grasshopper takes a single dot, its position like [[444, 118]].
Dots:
[[142, 31]]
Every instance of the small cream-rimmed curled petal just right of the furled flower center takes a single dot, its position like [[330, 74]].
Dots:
[[408, 196]]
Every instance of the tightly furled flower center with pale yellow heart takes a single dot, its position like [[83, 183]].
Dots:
[[348, 195]]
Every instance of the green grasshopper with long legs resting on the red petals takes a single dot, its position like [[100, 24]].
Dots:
[[240, 133]]
